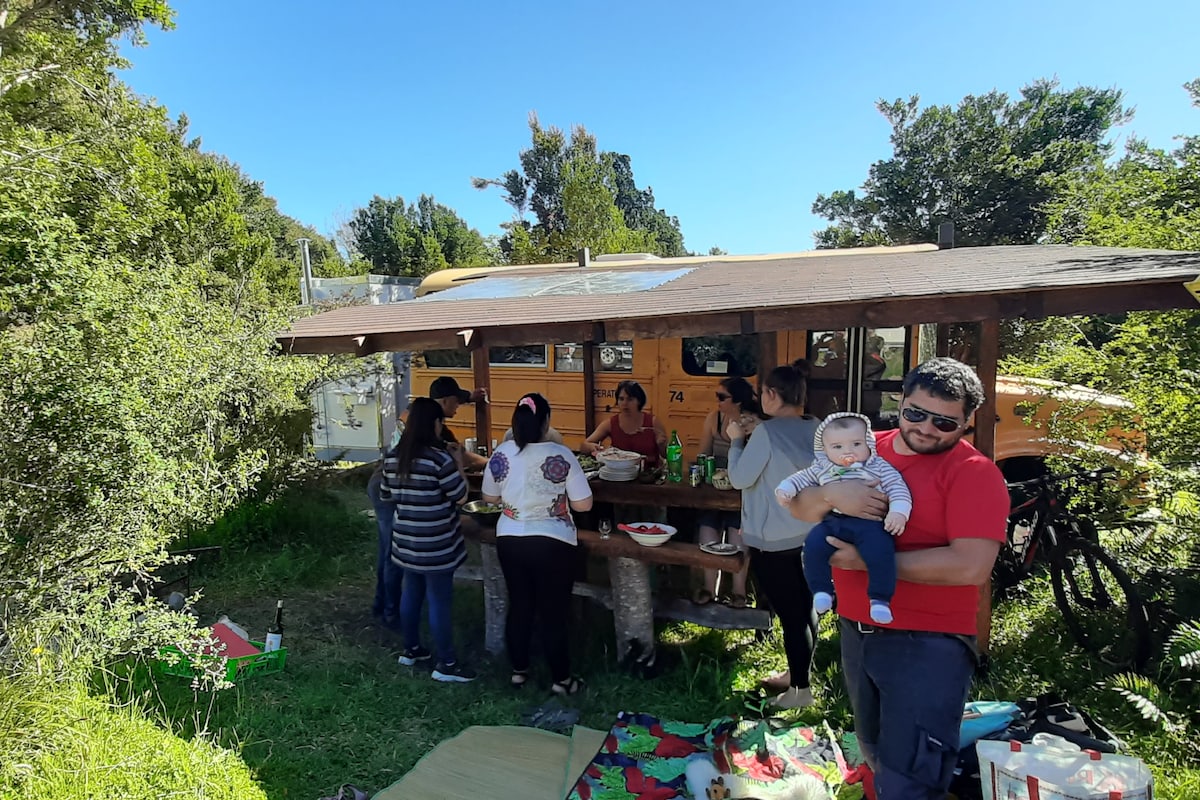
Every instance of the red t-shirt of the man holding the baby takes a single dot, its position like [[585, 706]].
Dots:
[[956, 495]]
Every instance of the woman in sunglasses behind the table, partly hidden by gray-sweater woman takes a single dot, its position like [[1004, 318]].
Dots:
[[735, 401]]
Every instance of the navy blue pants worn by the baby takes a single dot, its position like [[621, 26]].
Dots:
[[874, 544]]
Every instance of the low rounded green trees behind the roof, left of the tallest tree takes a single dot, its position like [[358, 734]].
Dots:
[[415, 239]]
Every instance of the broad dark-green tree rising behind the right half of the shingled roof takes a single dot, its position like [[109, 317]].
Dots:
[[992, 166]]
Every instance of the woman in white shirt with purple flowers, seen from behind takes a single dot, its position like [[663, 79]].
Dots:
[[538, 484]]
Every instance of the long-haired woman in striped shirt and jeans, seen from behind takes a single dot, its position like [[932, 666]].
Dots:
[[423, 480]]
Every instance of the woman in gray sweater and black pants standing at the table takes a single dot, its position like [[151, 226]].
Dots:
[[781, 447]]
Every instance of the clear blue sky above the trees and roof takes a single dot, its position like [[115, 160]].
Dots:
[[736, 115]]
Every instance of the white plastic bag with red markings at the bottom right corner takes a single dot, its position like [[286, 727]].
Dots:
[[1051, 768]]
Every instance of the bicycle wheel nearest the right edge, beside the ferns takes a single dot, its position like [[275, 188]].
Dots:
[[1100, 604]]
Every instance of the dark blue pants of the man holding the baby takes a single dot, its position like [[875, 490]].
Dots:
[[908, 690]]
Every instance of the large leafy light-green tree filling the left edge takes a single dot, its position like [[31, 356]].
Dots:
[[140, 297]]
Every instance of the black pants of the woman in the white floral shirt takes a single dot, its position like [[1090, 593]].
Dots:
[[539, 573]]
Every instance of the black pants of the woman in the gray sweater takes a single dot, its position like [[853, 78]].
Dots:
[[781, 578]]
